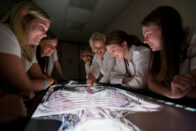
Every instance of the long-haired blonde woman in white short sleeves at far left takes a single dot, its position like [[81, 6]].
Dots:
[[20, 32]]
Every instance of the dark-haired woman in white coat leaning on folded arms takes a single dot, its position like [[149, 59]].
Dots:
[[132, 60]]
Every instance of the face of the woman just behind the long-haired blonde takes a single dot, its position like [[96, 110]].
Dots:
[[48, 47]]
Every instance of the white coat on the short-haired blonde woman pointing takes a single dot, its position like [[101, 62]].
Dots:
[[103, 67]]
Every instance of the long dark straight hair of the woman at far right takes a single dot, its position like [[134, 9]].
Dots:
[[165, 63]]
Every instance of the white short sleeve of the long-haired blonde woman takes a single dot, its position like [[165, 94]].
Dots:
[[9, 44]]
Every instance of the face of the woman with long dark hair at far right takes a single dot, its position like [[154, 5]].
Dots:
[[152, 37]]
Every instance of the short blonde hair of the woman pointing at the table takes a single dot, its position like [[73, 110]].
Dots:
[[96, 36]]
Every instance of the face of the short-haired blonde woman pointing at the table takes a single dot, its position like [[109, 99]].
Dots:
[[99, 48]]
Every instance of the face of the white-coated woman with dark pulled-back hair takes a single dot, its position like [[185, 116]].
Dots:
[[116, 51]]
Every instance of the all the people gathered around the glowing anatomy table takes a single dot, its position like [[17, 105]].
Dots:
[[168, 67]]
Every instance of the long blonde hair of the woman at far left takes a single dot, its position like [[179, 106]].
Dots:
[[21, 31]]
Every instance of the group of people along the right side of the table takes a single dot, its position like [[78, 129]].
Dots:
[[166, 66]]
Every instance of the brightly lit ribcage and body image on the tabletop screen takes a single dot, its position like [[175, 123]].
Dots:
[[98, 108]]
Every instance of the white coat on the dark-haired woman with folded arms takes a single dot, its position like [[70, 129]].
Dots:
[[139, 58]]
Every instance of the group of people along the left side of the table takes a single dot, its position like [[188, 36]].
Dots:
[[27, 57]]
